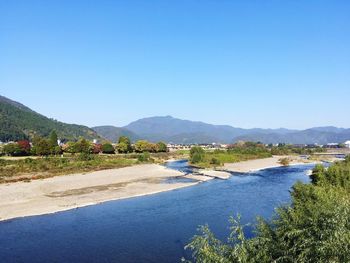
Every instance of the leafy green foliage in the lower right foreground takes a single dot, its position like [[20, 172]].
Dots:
[[315, 228]]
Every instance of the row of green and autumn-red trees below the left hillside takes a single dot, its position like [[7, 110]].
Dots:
[[49, 146]]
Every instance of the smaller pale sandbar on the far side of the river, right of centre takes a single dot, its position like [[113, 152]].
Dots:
[[260, 164]]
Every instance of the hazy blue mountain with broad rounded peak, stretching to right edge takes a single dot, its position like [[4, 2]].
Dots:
[[174, 130]]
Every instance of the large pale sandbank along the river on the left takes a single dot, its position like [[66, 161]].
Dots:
[[71, 191]]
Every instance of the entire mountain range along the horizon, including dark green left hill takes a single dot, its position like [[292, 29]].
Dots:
[[18, 122]]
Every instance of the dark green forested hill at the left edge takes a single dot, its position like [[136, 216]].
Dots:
[[17, 121]]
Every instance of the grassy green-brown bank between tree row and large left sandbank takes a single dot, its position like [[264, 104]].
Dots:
[[27, 168]]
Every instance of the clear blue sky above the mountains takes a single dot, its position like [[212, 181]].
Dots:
[[243, 63]]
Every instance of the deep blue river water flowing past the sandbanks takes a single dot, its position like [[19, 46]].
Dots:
[[153, 228]]
